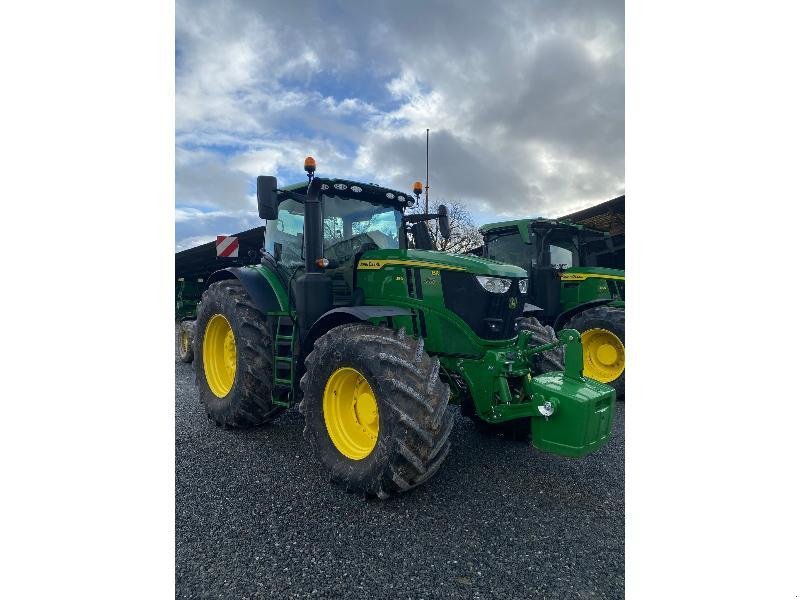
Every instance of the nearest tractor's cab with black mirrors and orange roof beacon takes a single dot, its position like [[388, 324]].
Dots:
[[317, 232]]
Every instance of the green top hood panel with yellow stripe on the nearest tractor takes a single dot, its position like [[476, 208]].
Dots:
[[376, 259]]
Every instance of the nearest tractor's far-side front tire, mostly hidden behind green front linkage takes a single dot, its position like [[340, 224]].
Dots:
[[543, 362]]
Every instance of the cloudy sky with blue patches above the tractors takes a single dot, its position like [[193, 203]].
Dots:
[[524, 100]]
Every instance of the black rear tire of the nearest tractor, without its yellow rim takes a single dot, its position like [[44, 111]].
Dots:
[[249, 401]]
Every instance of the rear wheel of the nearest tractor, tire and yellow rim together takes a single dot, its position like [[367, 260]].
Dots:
[[233, 366]]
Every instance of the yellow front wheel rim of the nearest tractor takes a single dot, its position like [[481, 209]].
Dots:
[[351, 413]]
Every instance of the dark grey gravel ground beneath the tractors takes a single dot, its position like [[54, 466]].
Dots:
[[256, 517]]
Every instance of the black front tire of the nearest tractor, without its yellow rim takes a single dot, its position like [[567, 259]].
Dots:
[[414, 425]]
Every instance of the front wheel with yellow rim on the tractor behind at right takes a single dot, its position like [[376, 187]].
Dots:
[[602, 332]]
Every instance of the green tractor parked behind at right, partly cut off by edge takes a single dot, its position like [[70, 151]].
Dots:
[[566, 290]]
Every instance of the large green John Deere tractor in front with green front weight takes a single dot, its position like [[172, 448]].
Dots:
[[374, 337]]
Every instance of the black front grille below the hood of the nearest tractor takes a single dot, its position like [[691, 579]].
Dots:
[[489, 315]]
